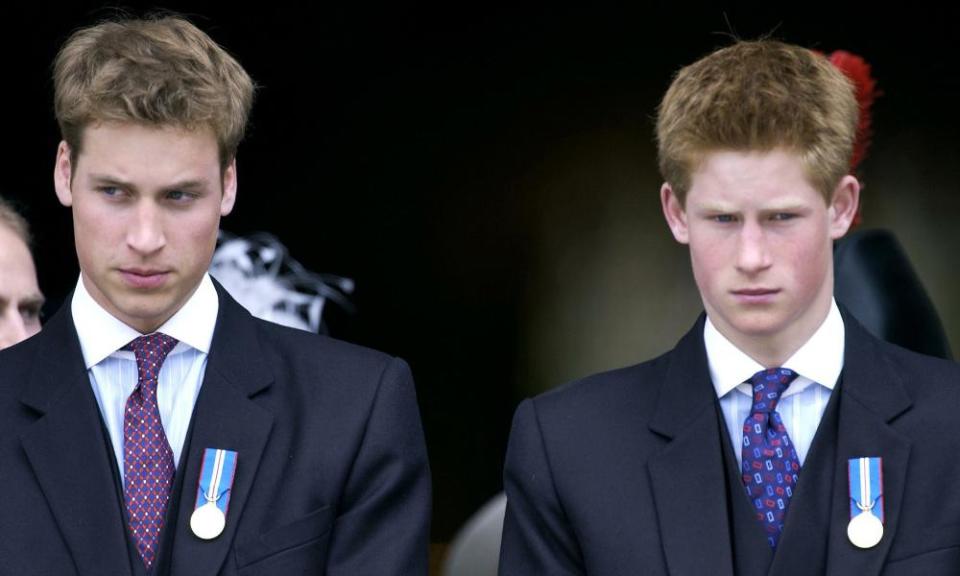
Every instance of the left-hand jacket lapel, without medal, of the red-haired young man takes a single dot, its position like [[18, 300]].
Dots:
[[688, 474]]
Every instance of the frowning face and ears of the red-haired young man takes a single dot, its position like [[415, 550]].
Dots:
[[761, 245]]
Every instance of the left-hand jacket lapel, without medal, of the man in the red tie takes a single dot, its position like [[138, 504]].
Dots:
[[66, 449]]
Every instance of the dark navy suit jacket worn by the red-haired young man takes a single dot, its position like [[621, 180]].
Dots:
[[624, 473]]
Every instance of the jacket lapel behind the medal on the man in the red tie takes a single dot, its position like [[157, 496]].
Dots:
[[224, 417]]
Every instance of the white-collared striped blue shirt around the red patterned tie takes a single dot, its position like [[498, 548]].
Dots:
[[113, 372]]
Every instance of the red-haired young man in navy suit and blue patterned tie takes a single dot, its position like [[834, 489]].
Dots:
[[778, 436]]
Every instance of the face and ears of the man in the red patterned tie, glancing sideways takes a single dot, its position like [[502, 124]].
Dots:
[[146, 208]]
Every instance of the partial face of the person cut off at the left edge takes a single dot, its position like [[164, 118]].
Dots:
[[20, 298]]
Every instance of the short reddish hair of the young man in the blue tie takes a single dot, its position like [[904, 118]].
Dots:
[[758, 96]]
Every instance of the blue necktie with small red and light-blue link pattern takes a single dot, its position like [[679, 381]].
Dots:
[[770, 463]]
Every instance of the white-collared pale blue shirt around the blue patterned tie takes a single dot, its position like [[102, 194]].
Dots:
[[818, 364]]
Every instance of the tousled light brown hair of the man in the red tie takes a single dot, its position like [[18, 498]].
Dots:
[[156, 71]]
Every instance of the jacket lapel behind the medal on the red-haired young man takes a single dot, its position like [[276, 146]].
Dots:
[[872, 396]]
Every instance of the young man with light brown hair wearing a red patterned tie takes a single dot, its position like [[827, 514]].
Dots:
[[155, 427]]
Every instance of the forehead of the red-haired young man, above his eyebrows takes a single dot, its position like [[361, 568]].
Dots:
[[751, 177]]
